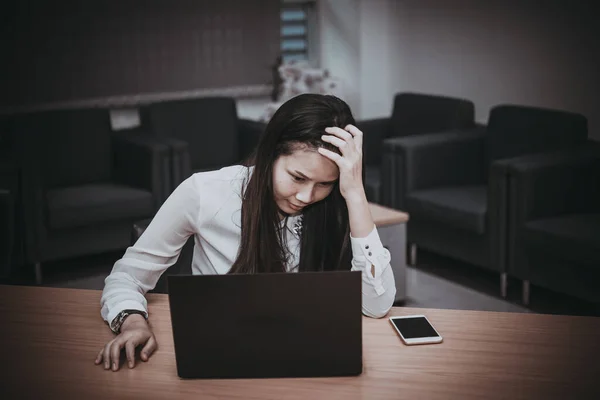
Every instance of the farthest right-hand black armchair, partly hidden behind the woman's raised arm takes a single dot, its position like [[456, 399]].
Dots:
[[412, 114]]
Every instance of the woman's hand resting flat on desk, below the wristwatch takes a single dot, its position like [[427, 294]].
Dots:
[[134, 332]]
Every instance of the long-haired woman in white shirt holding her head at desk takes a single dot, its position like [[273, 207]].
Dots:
[[300, 205]]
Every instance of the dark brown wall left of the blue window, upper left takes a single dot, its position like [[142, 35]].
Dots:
[[69, 54]]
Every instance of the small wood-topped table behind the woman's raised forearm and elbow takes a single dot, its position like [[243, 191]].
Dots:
[[391, 226]]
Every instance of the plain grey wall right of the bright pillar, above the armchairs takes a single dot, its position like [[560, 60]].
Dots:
[[499, 52]]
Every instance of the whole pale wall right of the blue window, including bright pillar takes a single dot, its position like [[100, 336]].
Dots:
[[492, 52]]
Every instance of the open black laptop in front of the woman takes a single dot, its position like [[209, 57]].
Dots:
[[272, 325]]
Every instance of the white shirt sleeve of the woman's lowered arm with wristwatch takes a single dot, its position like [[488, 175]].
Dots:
[[156, 250]]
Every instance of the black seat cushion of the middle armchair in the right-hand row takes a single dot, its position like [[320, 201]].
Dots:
[[464, 207]]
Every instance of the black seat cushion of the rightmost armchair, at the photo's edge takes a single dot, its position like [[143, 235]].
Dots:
[[572, 237]]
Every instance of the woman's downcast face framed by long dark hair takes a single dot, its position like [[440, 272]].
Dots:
[[302, 178]]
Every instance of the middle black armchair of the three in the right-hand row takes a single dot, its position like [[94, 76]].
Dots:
[[454, 184]]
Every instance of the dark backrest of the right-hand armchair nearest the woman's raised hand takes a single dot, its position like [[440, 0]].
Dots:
[[416, 113]]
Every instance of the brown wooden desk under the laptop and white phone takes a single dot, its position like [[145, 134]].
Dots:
[[50, 338]]
